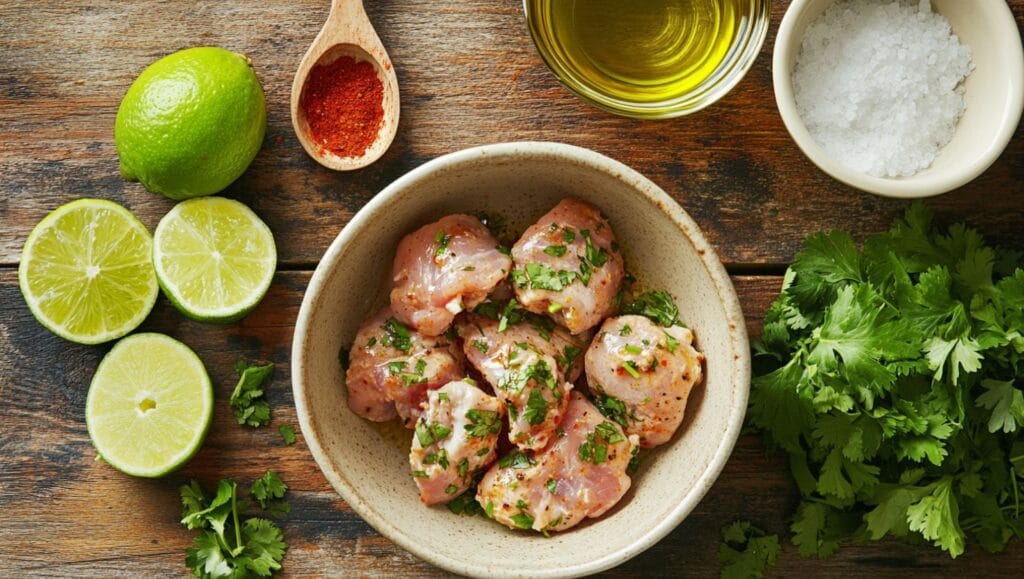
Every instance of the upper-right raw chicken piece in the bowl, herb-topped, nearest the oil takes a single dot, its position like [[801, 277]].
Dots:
[[569, 266]]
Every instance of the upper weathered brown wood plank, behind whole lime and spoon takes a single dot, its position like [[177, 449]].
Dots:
[[470, 76]]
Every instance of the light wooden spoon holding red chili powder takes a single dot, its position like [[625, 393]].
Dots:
[[348, 33]]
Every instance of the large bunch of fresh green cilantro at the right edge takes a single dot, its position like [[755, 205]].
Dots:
[[892, 377]]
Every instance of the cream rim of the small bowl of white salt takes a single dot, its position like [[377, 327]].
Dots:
[[908, 188]]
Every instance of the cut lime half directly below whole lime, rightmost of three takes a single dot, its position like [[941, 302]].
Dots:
[[215, 259]]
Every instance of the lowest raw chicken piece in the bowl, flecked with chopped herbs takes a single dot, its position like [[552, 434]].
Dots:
[[582, 474]]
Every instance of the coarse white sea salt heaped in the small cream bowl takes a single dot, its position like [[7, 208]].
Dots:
[[879, 85]]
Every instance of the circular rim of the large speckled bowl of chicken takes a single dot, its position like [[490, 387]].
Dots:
[[517, 151]]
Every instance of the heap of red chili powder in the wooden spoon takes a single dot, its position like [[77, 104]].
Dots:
[[344, 102]]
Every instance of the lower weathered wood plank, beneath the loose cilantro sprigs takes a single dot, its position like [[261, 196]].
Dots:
[[66, 514]]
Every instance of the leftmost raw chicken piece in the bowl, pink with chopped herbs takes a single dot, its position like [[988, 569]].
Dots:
[[392, 368]]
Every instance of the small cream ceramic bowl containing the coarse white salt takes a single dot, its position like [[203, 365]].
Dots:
[[995, 95]]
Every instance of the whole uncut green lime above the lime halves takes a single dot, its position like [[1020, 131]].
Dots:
[[191, 123]]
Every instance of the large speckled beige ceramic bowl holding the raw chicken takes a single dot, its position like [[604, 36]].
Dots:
[[368, 464]]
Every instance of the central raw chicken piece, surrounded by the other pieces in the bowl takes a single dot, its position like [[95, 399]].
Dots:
[[531, 365]]
